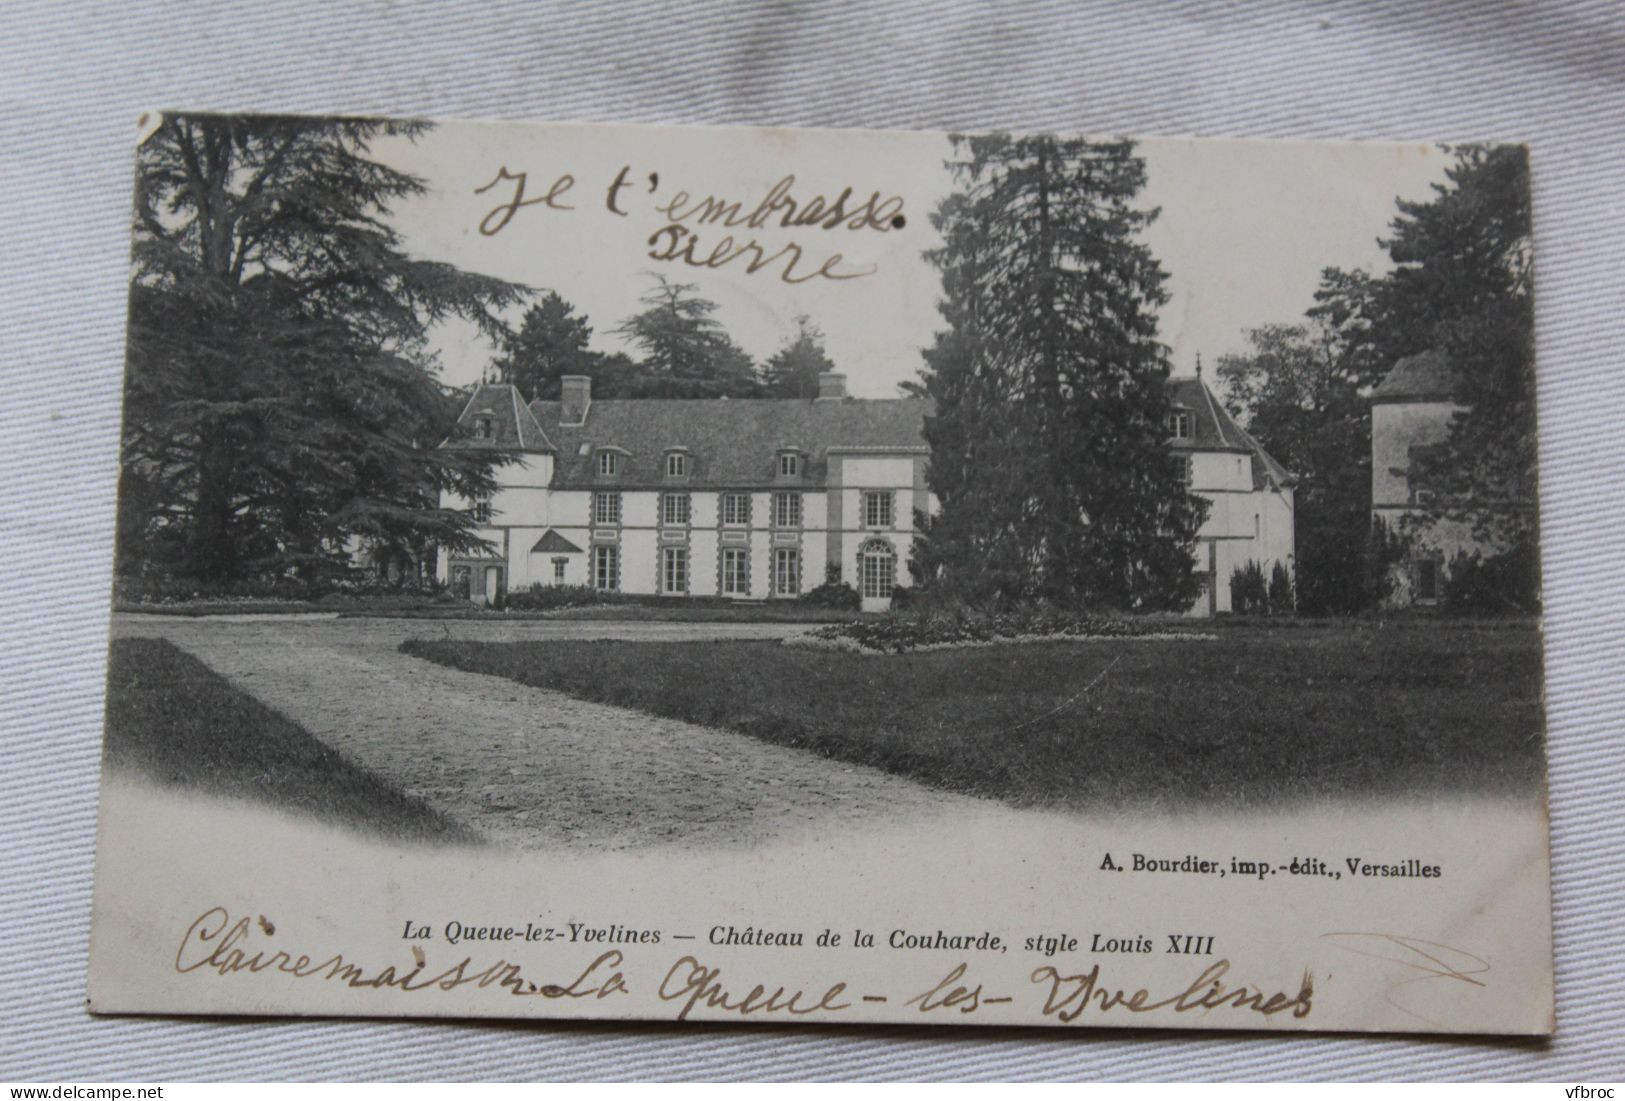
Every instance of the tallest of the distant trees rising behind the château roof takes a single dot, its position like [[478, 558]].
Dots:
[[687, 352]]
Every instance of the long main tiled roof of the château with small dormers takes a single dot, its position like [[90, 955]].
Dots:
[[730, 444]]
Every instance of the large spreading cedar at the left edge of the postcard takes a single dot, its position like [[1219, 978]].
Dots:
[[280, 392]]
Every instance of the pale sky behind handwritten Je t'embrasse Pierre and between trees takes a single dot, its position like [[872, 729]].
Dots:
[[1244, 233]]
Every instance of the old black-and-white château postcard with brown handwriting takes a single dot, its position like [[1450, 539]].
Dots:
[[792, 576]]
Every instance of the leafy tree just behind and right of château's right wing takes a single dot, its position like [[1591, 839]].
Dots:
[[1299, 391]]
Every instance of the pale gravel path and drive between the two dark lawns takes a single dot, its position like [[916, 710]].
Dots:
[[534, 767]]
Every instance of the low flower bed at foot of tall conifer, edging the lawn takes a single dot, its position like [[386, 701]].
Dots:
[[963, 628]]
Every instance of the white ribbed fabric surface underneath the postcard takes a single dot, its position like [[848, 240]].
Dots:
[[74, 77]]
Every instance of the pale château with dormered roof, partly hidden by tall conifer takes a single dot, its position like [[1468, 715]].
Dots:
[[765, 499]]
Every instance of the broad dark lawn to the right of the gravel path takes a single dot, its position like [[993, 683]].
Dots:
[[1247, 719]]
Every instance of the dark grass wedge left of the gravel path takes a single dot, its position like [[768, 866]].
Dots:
[[176, 722]]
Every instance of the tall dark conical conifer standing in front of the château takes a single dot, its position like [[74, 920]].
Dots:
[[1049, 444]]
